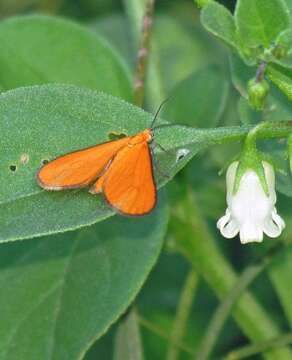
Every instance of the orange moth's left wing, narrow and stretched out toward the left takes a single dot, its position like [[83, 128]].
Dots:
[[80, 168]]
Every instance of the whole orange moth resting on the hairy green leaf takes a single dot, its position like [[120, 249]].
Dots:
[[121, 169]]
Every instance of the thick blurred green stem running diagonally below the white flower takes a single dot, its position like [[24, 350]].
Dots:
[[202, 252]]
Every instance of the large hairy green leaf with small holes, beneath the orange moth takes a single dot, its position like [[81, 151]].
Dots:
[[43, 122]]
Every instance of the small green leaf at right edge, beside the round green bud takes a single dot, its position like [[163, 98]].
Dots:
[[281, 77]]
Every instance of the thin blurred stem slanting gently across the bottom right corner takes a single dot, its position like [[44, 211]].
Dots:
[[250, 350]]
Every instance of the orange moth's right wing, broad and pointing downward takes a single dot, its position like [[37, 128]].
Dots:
[[128, 184]]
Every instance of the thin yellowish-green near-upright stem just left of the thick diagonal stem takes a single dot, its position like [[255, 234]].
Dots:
[[182, 314]]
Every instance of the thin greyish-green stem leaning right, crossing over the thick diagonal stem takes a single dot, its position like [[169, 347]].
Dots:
[[224, 309]]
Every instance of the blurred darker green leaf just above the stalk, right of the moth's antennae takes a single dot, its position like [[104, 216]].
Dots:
[[199, 100]]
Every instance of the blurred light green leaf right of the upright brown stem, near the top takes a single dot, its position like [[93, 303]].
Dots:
[[186, 49]]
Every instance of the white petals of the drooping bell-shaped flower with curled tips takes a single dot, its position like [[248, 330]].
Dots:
[[250, 211]]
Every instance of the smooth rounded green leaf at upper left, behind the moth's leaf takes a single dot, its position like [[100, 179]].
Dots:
[[40, 49]]
